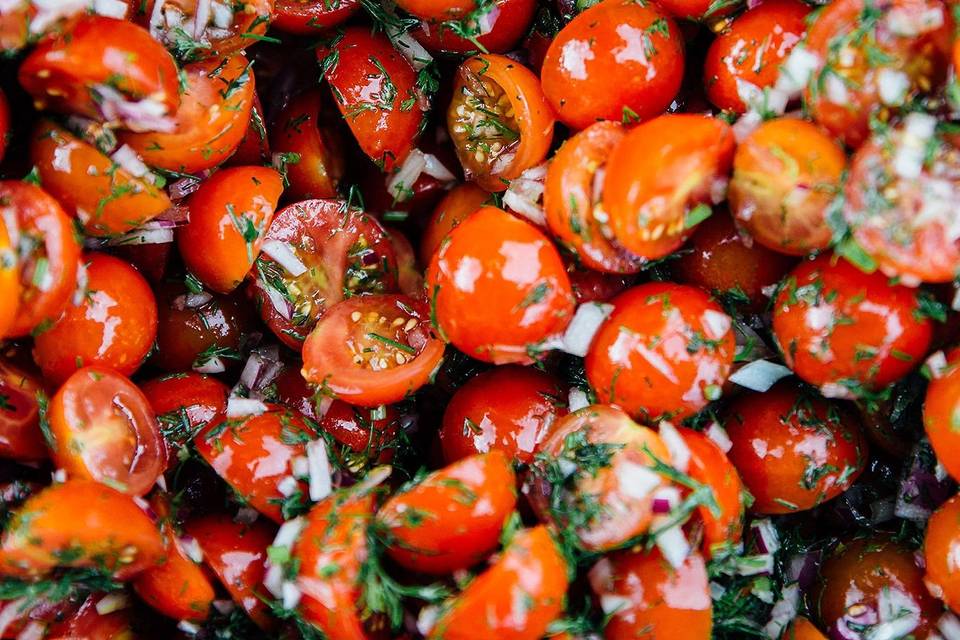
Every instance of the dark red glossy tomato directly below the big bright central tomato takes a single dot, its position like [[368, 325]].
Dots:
[[510, 409]]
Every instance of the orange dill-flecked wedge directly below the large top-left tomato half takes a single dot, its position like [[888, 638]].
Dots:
[[104, 196]]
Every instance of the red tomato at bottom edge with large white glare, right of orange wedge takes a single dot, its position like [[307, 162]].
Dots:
[[659, 602]]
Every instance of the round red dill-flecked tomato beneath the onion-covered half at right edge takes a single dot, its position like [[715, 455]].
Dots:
[[846, 331]]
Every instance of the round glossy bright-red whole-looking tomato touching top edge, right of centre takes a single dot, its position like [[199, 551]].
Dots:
[[594, 71]]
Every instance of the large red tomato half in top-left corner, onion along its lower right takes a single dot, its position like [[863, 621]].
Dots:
[[104, 68]]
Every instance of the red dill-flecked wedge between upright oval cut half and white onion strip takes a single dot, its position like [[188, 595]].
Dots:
[[255, 453]]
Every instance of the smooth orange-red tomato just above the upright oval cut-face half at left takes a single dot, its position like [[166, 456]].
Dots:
[[114, 325]]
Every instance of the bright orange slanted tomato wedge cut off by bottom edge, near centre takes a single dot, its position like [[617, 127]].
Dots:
[[531, 565]]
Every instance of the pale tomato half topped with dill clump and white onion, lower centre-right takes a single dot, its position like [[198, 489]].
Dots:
[[614, 511]]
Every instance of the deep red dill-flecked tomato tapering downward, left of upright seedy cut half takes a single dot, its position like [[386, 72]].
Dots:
[[375, 89]]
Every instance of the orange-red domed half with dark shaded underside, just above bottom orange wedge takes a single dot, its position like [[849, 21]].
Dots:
[[451, 519]]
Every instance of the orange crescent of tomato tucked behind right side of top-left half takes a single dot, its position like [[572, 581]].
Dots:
[[210, 123]]
